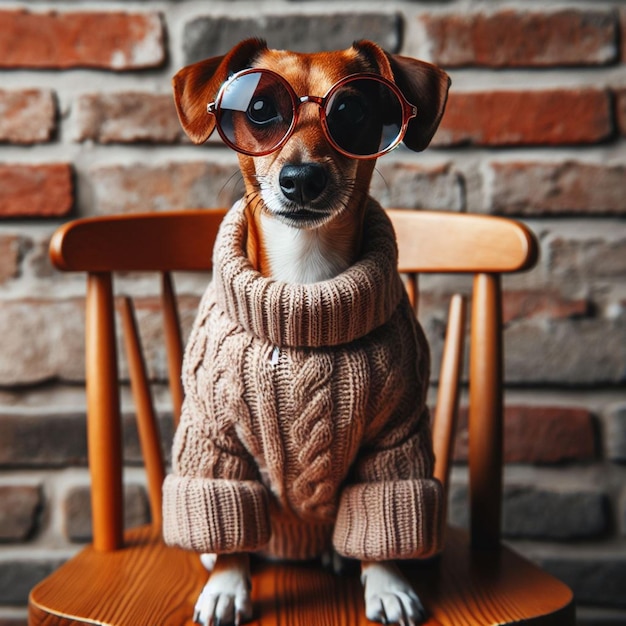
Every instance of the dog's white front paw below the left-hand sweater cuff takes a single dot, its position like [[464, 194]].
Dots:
[[225, 599]]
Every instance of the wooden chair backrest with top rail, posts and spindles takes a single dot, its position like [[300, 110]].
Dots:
[[183, 241]]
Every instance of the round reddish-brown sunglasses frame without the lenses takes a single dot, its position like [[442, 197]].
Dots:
[[409, 111]]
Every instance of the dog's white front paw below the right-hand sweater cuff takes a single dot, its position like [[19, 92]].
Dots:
[[389, 597]]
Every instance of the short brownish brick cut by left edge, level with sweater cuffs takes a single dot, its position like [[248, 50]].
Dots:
[[19, 506]]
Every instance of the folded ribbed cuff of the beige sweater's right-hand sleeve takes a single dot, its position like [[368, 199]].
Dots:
[[387, 520]]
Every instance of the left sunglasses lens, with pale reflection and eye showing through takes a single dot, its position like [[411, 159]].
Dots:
[[255, 112]]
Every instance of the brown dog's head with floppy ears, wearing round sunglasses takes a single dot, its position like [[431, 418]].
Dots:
[[312, 147]]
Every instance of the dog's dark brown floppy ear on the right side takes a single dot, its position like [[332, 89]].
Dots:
[[423, 84]]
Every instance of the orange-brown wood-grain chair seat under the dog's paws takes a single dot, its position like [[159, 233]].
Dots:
[[149, 584]]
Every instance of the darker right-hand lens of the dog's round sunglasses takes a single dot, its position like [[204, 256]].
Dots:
[[364, 117]]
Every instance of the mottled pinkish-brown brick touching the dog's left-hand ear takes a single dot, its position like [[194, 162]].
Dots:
[[127, 117]]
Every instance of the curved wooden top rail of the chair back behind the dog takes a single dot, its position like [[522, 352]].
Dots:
[[429, 241]]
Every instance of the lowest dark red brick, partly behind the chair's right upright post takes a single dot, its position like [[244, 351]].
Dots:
[[539, 435]]
